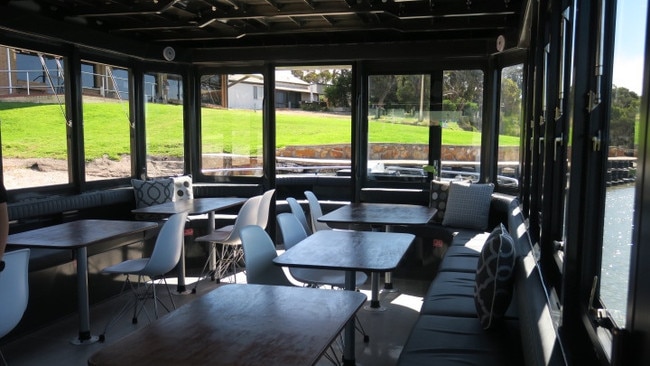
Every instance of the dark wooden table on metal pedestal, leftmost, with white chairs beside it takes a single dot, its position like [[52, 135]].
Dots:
[[78, 236]]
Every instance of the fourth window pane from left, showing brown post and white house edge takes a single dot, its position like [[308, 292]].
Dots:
[[231, 124]]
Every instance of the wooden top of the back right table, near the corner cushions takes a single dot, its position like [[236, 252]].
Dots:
[[380, 214]]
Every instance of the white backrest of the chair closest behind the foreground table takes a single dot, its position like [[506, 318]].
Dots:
[[259, 252]]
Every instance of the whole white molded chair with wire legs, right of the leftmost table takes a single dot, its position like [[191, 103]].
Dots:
[[164, 258]]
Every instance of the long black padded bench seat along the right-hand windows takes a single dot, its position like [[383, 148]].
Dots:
[[514, 326]]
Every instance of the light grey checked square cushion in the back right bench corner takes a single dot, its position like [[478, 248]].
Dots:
[[468, 205]]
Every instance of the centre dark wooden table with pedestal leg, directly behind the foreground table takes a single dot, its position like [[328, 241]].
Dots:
[[350, 251]]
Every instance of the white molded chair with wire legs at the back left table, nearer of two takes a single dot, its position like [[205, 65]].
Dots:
[[230, 252]]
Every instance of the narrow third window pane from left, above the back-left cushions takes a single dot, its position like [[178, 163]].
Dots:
[[164, 124]]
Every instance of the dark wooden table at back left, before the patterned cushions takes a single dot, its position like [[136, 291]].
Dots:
[[196, 206]]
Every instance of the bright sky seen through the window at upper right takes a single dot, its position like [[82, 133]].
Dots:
[[630, 44]]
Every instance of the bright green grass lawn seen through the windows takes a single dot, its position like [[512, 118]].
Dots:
[[38, 130]]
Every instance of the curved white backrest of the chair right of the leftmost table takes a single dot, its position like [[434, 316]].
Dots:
[[169, 243]]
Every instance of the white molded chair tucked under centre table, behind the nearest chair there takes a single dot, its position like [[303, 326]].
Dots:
[[292, 233]]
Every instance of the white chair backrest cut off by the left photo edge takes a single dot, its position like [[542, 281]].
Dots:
[[14, 289]]
